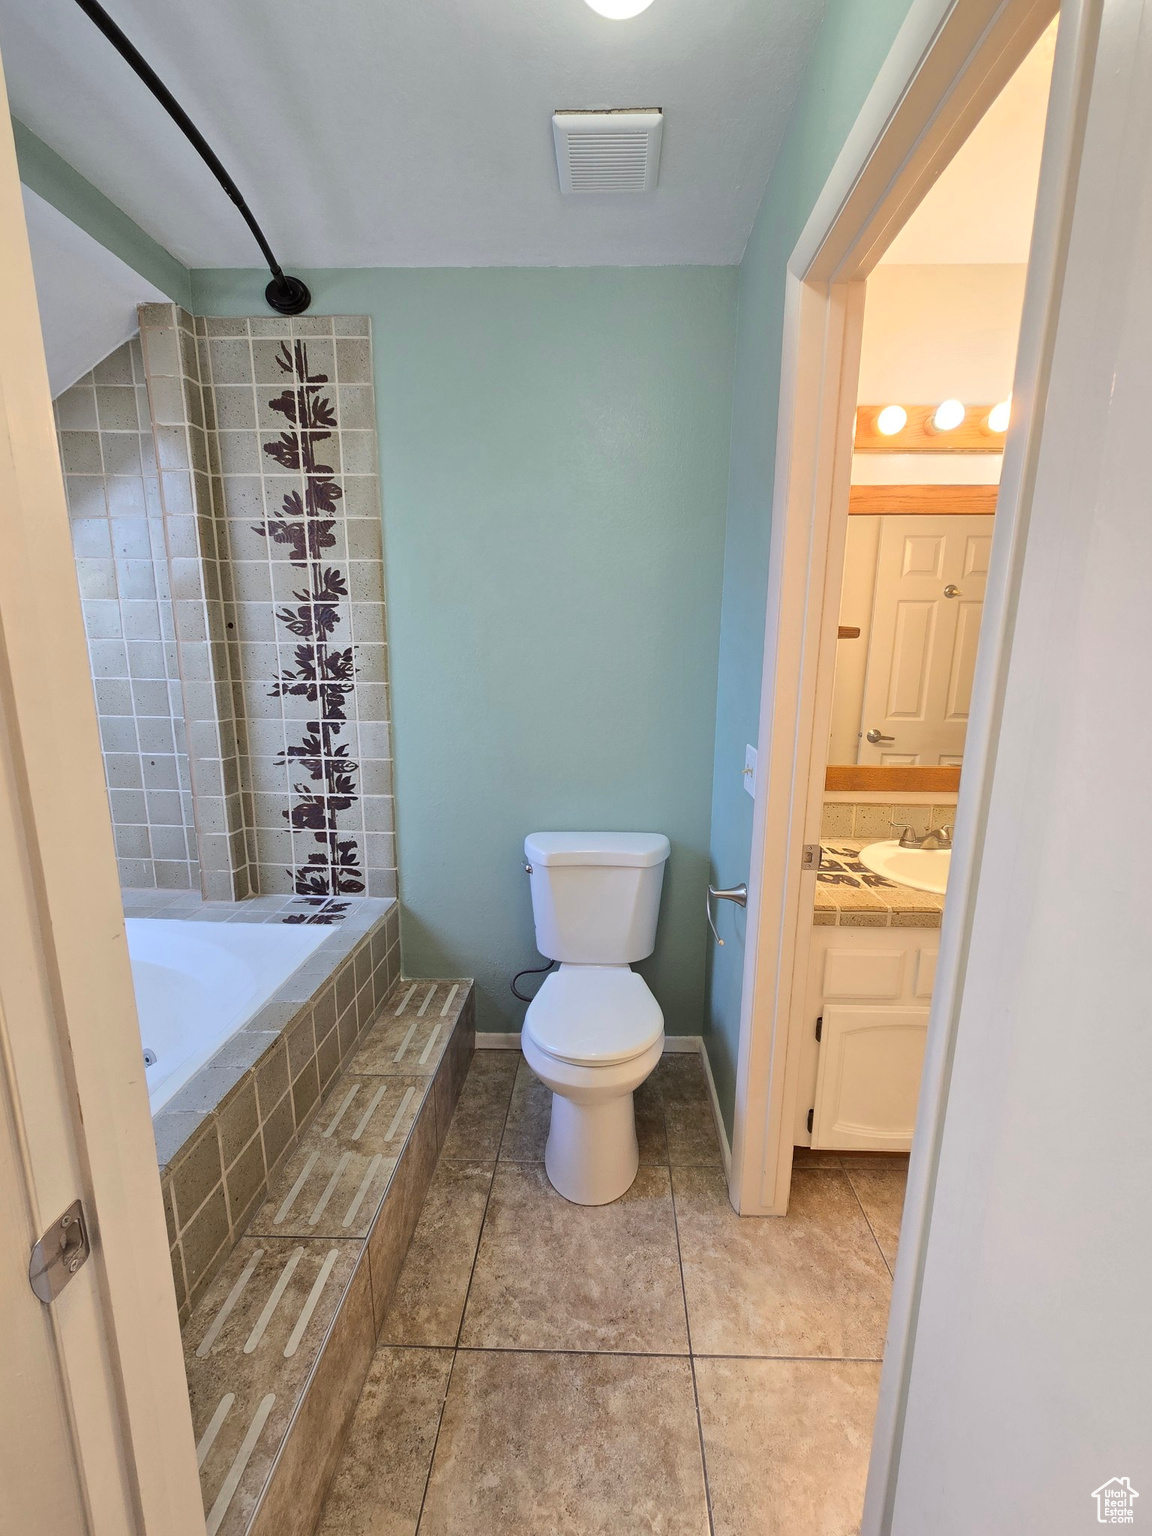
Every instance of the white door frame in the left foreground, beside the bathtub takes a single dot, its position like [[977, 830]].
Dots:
[[71, 1067]]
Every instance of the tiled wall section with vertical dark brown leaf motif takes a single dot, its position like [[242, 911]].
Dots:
[[293, 448]]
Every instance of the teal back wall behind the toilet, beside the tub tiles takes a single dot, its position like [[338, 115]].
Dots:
[[554, 468]]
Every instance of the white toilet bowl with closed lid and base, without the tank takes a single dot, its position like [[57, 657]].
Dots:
[[592, 1036]]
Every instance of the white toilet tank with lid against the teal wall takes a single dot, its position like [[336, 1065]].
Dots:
[[597, 896]]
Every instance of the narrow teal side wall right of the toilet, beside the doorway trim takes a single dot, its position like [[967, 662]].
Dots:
[[850, 48]]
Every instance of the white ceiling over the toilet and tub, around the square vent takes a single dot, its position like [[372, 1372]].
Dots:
[[415, 133]]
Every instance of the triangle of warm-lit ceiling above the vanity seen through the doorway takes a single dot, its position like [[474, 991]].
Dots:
[[981, 210]]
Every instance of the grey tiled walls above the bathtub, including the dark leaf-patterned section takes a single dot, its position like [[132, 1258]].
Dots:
[[225, 506]]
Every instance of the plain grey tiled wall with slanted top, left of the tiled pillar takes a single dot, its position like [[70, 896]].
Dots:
[[108, 455]]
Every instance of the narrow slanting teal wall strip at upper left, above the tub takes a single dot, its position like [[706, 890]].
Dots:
[[58, 184]]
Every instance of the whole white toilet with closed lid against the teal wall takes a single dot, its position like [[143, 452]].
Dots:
[[594, 1033]]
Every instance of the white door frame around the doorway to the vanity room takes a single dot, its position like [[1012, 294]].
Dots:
[[947, 65]]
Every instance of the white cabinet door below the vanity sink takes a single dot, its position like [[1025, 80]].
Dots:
[[869, 1078]]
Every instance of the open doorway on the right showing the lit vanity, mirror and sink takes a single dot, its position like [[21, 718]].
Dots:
[[938, 357]]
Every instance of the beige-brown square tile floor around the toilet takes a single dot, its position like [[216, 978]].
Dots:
[[658, 1365]]
